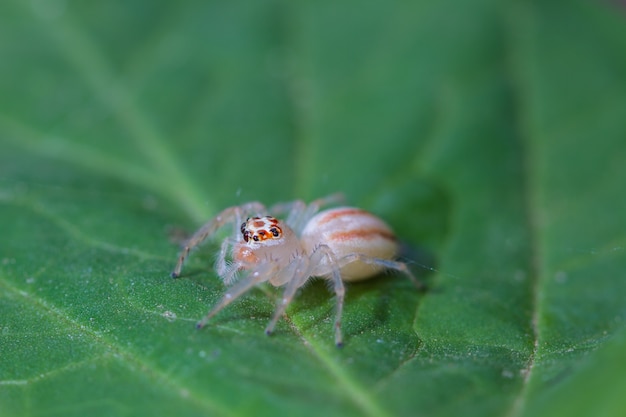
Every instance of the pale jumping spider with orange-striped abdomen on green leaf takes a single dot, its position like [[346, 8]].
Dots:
[[338, 244]]
